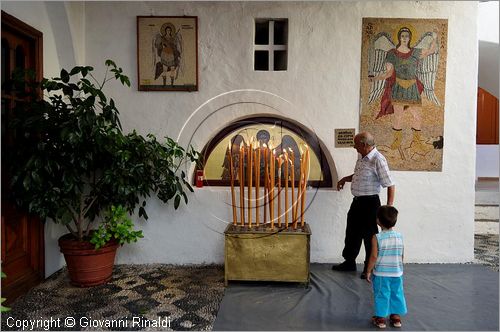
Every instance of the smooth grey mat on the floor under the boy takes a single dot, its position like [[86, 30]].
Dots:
[[451, 297]]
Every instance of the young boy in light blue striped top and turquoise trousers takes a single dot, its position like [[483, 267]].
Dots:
[[385, 270]]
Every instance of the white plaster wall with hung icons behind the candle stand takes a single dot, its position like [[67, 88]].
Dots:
[[321, 90]]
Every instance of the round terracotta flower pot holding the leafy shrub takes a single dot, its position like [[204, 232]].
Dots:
[[87, 266]]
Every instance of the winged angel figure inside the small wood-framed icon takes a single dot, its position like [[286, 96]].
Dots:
[[167, 53]]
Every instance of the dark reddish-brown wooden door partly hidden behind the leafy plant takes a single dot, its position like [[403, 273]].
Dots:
[[22, 234]]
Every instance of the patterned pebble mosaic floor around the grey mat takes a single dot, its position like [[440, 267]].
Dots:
[[151, 297]]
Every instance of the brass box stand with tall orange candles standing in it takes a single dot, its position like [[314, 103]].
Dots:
[[278, 248]]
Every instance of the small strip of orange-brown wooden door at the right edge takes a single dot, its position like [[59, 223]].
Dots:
[[487, 118]]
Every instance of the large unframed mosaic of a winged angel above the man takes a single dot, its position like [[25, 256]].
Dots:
[[402, 68]]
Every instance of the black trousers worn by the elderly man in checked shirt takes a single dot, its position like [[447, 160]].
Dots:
[[361, 225]]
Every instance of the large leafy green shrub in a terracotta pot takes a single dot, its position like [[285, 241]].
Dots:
[[71, 162]]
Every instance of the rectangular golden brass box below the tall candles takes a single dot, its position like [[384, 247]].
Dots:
[[262, 254]]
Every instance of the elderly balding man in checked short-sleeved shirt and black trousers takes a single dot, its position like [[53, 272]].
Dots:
[[370, 174]]
